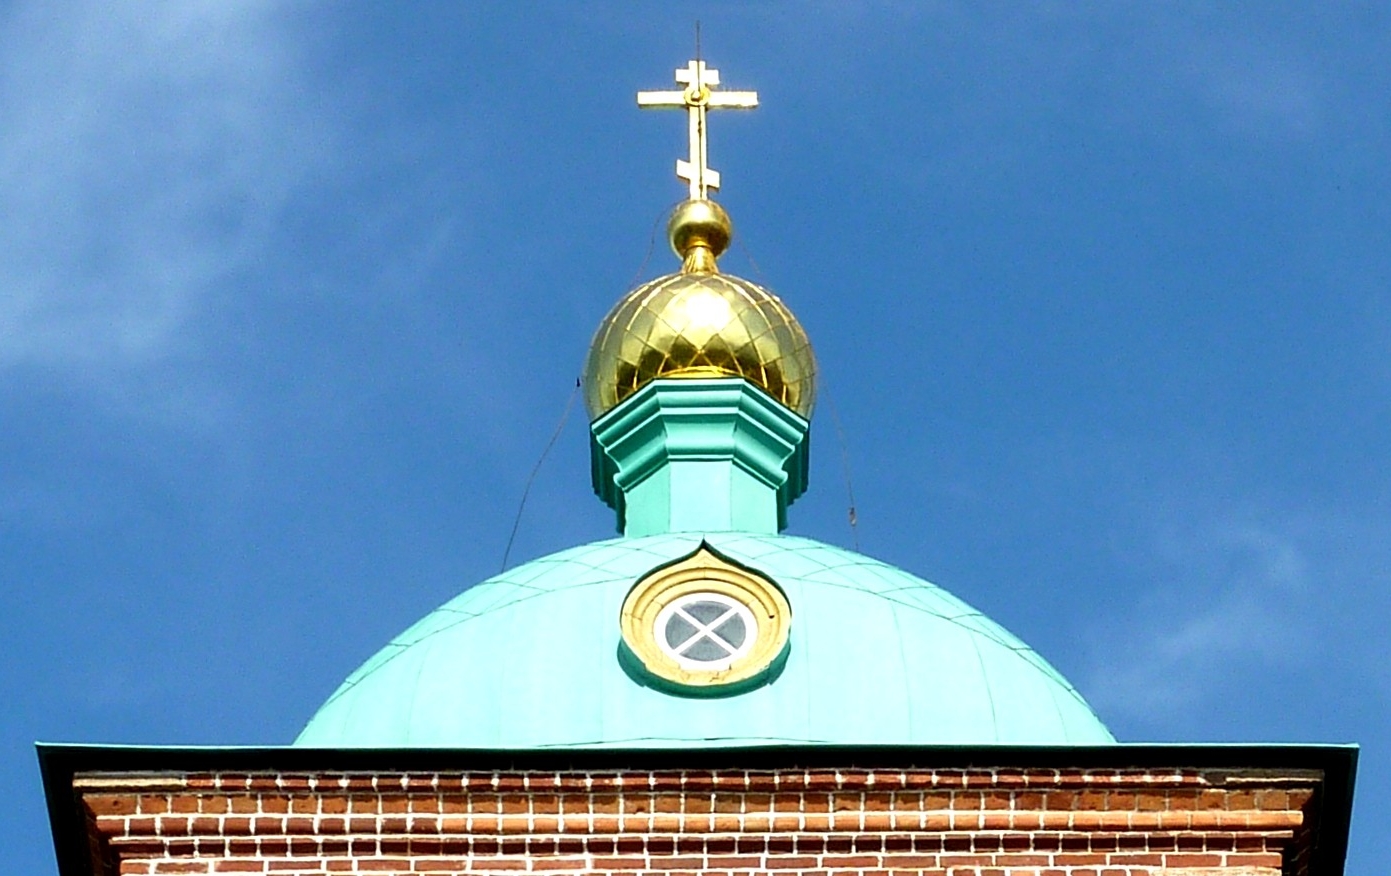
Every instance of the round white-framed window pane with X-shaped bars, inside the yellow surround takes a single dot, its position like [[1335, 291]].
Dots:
[[706, 631]]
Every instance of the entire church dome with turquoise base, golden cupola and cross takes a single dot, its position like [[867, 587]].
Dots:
[[703, 626]]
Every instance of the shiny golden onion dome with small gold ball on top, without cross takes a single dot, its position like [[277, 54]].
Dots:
[[700, 323]]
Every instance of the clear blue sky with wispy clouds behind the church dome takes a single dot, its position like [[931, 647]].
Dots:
[[294, 297]]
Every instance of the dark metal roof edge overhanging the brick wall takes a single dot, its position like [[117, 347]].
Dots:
[[59, 763]]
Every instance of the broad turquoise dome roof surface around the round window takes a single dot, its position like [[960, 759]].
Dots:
[[531, 660]]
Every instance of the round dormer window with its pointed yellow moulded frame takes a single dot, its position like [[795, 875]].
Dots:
[[705, 622]]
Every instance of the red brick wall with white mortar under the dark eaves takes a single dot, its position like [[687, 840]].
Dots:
[[976, 822]]
